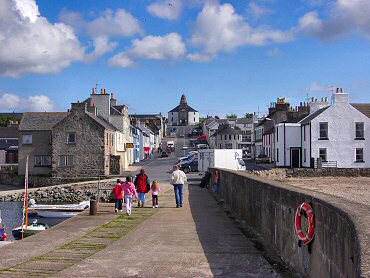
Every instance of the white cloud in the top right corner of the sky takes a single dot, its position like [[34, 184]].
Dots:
[[346, 16]]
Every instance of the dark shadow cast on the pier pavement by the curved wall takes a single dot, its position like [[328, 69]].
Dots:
[[228, 251]]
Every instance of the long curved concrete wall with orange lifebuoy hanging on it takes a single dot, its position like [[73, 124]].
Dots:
[[342, 231]]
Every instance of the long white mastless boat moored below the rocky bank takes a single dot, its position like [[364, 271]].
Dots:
[[57, 211]]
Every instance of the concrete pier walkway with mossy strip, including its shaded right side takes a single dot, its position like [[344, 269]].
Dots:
[[198, 240]]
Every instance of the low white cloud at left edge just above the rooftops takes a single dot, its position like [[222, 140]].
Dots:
[[12, 102]]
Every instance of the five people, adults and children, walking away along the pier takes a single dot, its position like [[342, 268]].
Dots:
[[128, 191]]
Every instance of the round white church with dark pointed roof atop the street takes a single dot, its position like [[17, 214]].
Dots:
[[183, 114]]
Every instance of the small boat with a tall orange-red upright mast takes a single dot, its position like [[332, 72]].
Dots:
[[25, 229]]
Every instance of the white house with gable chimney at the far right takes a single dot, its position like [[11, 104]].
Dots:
[[339, 134]]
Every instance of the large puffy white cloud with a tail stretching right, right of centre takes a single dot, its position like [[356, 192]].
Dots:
[[220, 28]]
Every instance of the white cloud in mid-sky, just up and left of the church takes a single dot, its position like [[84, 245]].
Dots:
[[170, 46]]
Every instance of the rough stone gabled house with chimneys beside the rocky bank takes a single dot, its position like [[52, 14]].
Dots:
[[82, 144]]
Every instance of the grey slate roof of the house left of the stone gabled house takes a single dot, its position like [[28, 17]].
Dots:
[[41, 120]]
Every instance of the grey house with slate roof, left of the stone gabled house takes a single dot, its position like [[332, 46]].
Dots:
[[35, 134]]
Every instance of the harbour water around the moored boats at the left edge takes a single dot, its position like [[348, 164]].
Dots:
[[11, 215]]
